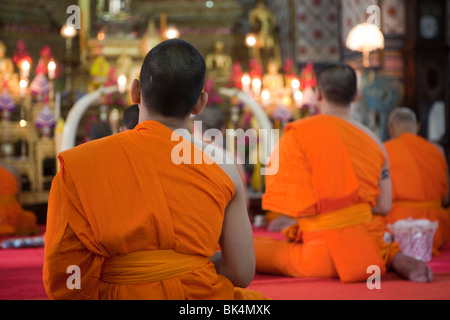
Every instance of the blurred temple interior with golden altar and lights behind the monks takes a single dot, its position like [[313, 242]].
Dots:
[[54, 54]]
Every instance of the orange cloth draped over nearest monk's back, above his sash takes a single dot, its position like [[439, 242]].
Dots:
[[142, 189]]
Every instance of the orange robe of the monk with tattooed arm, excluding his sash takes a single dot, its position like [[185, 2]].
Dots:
[[326, 165]]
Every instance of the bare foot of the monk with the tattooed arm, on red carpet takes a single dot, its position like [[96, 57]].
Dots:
[[412, 269]]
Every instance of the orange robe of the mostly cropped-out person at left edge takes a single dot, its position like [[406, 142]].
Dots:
[[13, 219]]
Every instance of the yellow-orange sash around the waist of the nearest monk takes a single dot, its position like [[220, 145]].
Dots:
[[149, 266]]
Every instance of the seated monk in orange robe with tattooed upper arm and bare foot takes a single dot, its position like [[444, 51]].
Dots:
[[333, 178]]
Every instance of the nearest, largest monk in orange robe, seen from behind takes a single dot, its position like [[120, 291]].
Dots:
[[132, 216]]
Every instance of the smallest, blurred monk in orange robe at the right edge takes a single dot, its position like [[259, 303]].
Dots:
[[419, 176]]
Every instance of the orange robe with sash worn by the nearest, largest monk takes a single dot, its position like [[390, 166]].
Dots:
[[118, 199]]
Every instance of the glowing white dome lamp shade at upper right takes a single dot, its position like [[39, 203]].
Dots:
[[365, 37]]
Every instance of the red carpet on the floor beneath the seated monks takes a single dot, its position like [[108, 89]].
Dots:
[[21, 279]]
